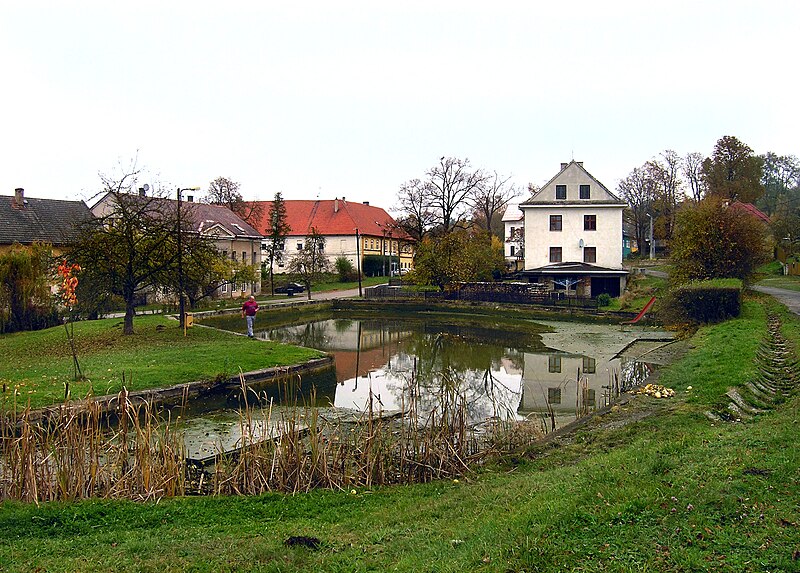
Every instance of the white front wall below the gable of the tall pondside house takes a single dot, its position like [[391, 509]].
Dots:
[[607, 238]]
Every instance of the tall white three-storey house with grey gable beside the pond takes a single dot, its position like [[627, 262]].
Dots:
[[573, 234]]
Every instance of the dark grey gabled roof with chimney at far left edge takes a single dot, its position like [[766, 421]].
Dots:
[[45, 220]]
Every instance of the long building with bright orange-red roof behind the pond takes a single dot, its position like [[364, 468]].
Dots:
[[367, 235]]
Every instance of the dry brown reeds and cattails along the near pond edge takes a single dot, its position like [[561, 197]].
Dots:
[[138, 453]]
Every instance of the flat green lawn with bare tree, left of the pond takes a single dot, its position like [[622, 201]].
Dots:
[[38, 364]]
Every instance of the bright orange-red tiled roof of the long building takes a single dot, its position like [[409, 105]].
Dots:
[[333, 217]]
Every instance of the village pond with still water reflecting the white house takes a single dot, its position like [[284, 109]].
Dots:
[[552, 372]]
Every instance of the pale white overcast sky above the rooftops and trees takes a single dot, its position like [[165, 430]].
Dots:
[[325, 99]]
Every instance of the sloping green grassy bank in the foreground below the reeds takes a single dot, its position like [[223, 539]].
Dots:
[[653, 486]]
